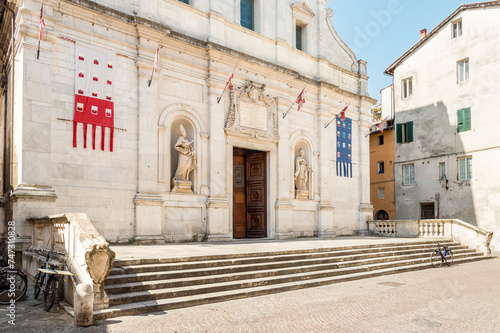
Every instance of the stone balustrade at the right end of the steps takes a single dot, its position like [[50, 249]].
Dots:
[[460, 231]]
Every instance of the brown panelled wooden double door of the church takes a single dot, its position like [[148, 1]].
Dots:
[[249, 194]]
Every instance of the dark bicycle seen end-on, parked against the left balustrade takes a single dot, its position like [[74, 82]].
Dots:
[[47, 280]]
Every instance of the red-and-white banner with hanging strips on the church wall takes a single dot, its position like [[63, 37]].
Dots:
[[94, 93]]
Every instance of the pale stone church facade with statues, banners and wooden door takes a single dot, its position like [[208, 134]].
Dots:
[[185, 120]]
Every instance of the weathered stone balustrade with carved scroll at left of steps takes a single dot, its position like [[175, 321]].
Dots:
[[73, 239]]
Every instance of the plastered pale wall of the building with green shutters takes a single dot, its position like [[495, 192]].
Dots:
[[438, 93]]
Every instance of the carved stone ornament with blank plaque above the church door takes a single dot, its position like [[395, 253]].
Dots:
[[253, 113]]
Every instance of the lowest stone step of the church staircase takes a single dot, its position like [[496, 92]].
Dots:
[[212, 296]]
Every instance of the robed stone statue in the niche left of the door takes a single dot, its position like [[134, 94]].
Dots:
[[186, 163]]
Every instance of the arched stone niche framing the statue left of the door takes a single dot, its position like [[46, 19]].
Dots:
[[168, 134]]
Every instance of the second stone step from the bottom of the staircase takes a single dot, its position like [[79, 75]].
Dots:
[[294, 275]]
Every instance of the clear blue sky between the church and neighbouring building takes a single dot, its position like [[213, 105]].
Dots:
[[380, 31]]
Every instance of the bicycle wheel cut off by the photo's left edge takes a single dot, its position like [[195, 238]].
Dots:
[[13, 284]]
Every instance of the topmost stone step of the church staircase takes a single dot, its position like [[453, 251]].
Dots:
[[352, 249]]
